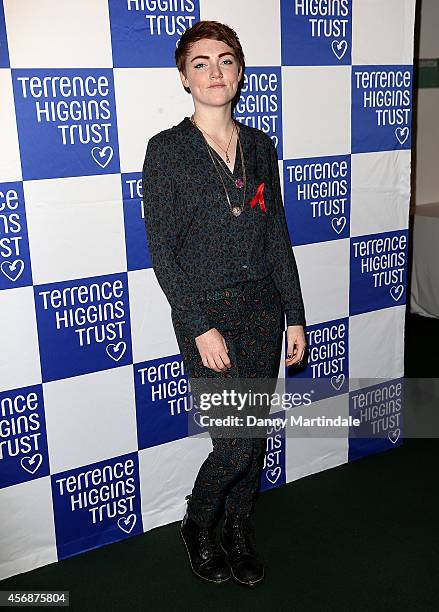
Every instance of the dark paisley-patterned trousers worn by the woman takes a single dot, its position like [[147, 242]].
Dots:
[[250, 318]]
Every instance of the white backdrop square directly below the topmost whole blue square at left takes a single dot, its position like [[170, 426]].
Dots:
[[76, 227]]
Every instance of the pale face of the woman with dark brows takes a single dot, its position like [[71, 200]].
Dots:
[[212, 72]]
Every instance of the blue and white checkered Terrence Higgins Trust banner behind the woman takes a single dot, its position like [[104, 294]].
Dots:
[[94, 400]]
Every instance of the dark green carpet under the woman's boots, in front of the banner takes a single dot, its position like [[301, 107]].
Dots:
[[362, 536]]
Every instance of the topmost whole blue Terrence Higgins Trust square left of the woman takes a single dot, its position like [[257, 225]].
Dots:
[[66, 122]]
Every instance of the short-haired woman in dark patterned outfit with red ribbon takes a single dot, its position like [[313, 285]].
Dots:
[[221, 252]]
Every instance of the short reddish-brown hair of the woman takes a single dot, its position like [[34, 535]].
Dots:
[[213, 30]]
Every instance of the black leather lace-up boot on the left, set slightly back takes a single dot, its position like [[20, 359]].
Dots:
[[206, 558]]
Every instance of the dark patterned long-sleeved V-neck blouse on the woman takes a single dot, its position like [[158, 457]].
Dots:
[[195, 242]]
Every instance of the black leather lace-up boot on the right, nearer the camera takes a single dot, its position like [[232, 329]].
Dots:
[[237, 539]]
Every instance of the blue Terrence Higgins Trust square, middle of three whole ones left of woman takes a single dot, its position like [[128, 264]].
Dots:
[[83, 326]]
